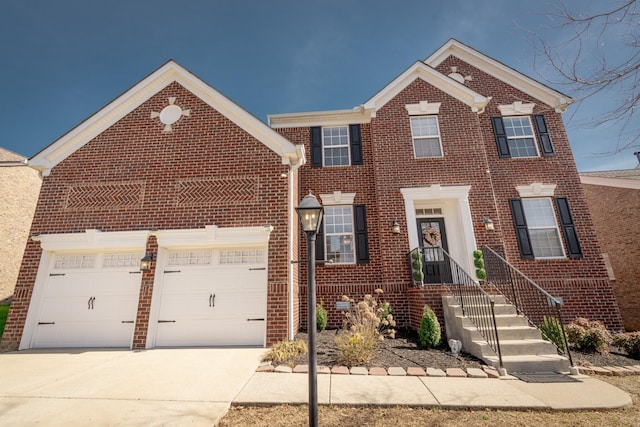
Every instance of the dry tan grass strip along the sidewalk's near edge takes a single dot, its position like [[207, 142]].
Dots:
[[286, 415]]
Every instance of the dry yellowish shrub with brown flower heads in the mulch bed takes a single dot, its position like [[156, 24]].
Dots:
[[364, 325]]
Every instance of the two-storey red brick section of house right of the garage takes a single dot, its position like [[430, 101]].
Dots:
[[452, 143]]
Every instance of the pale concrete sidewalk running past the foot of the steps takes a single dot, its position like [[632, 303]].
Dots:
[[358, 390]]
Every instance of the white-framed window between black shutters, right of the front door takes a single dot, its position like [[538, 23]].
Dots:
[[543, 228]]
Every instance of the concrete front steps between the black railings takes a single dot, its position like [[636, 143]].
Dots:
[[522, 346]]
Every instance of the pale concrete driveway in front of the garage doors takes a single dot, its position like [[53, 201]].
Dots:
[[120, 387]]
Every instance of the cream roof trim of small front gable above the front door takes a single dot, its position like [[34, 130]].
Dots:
[[425, 72]]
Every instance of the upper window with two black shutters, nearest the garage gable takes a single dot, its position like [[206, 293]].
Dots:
[[336, 146]]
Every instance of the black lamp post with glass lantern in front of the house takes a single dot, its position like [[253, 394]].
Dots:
[[310, 213]]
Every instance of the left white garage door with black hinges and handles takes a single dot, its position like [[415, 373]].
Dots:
[[90, 300]]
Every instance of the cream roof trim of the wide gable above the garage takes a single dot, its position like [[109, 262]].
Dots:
[[168, 73]]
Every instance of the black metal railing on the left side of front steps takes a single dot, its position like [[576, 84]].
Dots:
[[476, 304]]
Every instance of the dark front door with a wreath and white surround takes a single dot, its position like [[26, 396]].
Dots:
[[433, 239]]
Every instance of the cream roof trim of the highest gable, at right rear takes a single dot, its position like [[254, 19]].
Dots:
[[453, 47]]
